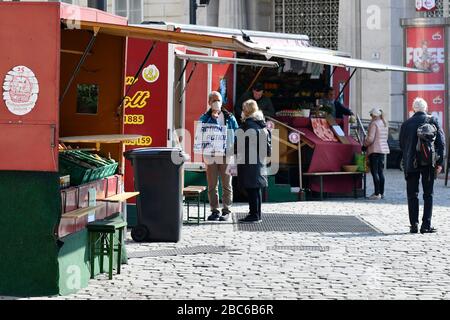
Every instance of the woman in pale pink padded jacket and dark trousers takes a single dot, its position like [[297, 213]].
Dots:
[[377, 147]]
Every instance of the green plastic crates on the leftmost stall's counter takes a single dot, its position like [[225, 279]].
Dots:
[[84, 167]]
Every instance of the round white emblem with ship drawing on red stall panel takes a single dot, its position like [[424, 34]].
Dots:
[[20, 90]]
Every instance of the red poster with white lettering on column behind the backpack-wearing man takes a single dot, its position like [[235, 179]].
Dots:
[[426, 50]]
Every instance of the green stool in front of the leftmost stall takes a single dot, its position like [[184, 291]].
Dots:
[[105, 230]]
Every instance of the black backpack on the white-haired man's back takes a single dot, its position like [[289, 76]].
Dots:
[[426, 155]]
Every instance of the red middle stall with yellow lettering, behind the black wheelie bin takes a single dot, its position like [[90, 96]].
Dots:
[[167, 92]]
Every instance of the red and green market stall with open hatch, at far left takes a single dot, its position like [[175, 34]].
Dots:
[[63, 73]]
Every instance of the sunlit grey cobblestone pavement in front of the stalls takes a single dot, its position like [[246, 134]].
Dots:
[[392, 264]]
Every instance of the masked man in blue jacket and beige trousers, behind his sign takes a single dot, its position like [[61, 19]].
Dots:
[[217, 114]]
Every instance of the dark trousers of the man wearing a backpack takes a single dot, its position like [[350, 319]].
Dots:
[[412, 182]]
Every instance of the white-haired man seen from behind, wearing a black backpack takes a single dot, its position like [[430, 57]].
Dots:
[[422, 142]]
